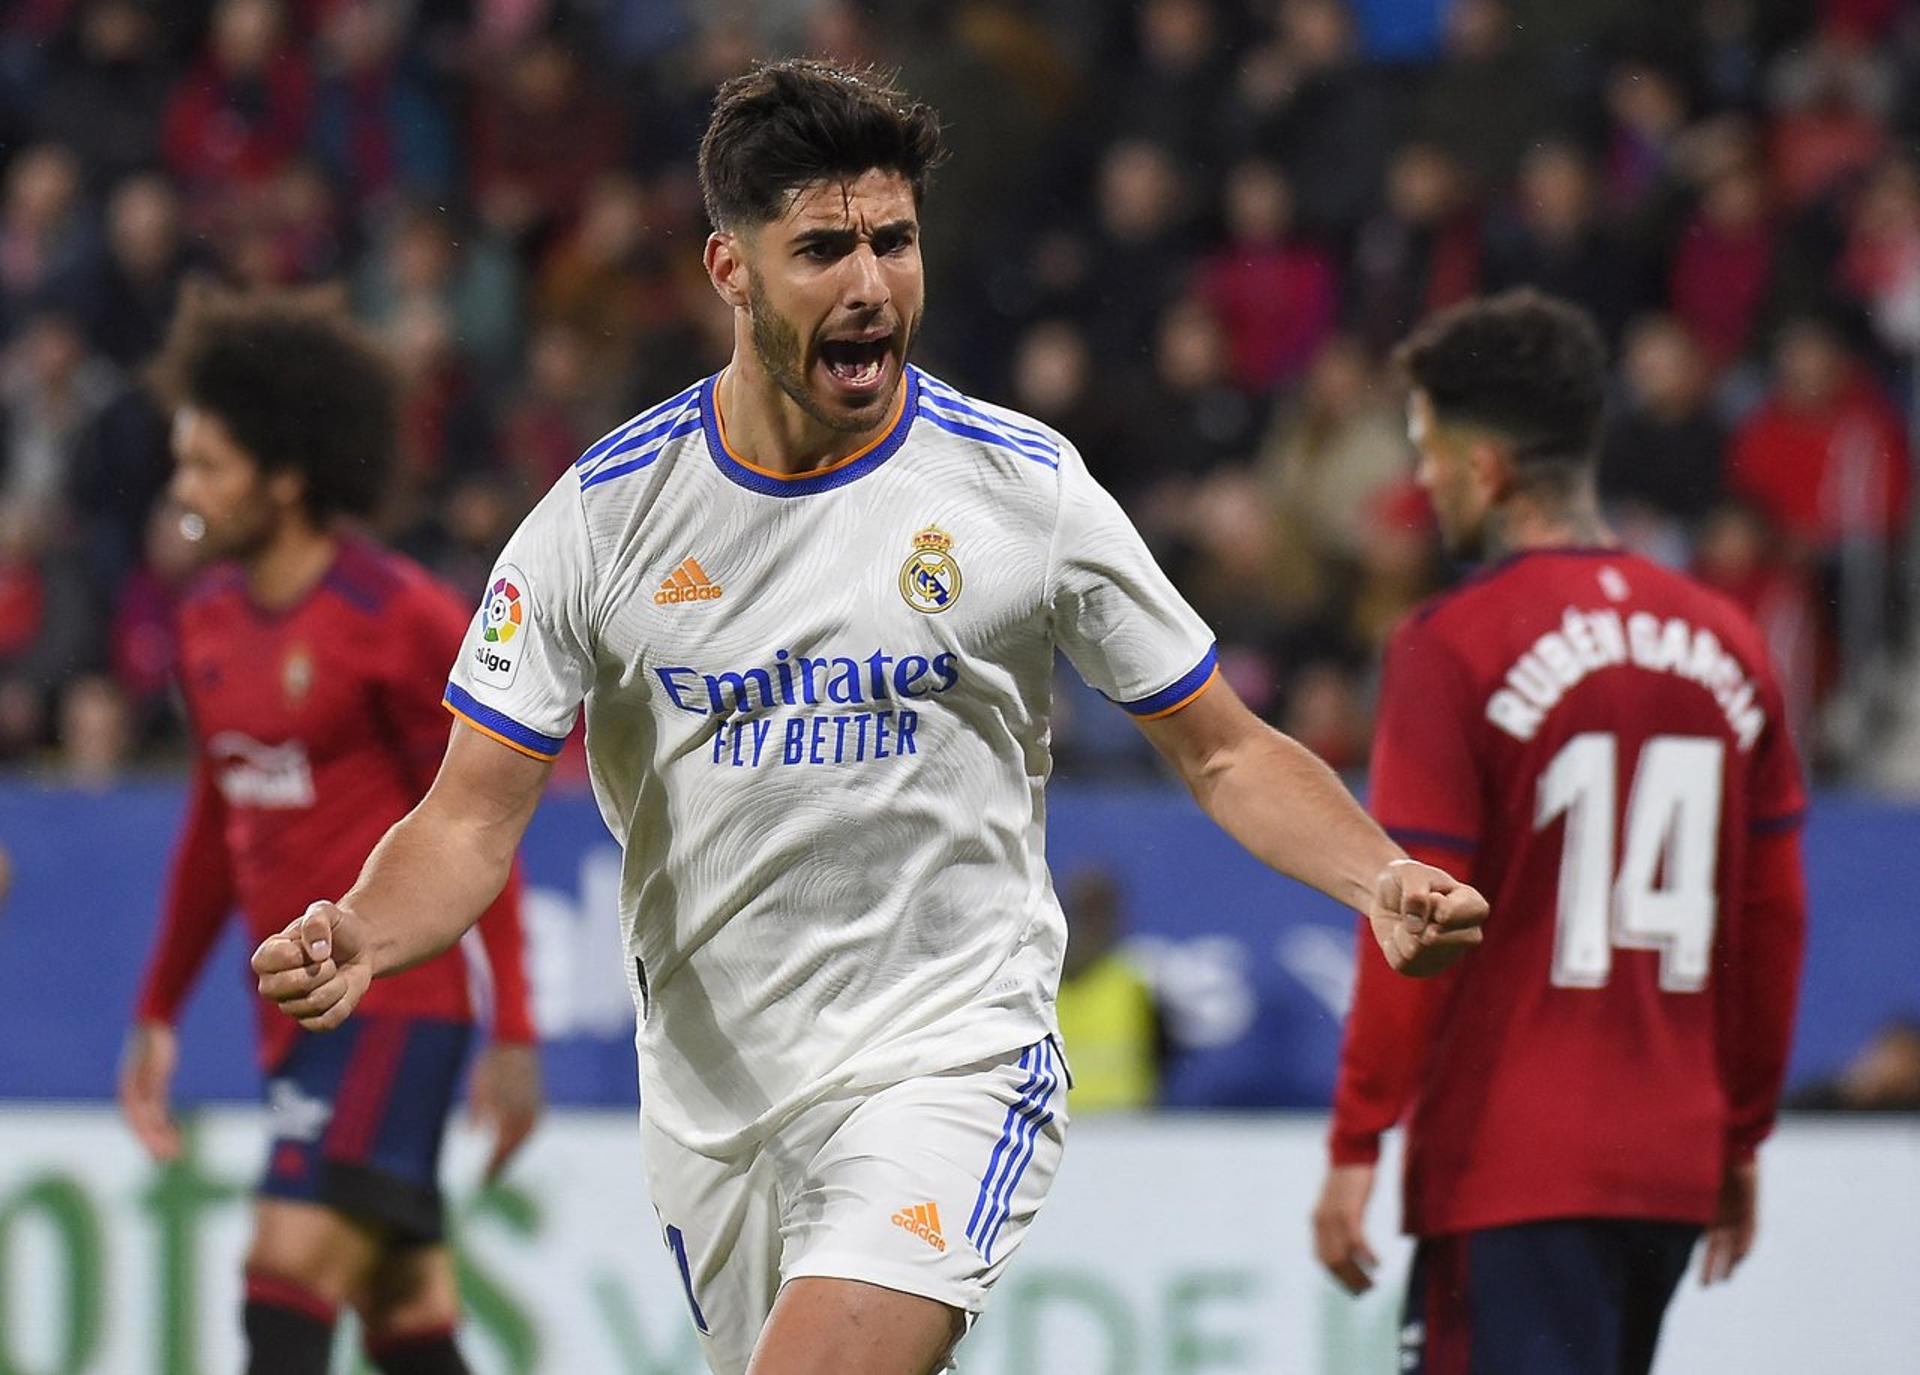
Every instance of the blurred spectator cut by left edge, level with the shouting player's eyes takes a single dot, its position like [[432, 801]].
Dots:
[[47, 241]]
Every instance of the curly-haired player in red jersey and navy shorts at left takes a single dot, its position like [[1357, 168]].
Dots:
[[310, 663]]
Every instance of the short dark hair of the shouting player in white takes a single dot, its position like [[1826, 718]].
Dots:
[[798, 122]]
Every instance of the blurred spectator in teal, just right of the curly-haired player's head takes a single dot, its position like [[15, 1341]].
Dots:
[[423, 260]]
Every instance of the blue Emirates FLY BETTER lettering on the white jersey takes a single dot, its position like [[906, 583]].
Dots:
[[746, 740]]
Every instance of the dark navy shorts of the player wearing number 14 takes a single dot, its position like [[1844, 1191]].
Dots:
[[1570, 1297]]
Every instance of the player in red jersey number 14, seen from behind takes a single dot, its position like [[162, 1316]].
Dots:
[[1600, 746]]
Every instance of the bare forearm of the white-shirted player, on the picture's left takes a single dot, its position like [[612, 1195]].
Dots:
[[425, 884]]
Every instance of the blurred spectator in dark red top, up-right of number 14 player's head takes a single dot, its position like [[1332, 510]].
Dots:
[[1723, 266]]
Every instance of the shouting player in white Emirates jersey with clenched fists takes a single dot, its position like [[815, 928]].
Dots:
[[811, 606]]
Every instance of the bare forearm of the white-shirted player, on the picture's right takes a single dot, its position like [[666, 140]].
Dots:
[[1295, 815]]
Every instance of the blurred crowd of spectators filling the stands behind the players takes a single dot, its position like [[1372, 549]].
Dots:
[[1186, 233]]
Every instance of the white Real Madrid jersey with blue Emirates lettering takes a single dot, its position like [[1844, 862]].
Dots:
[[819, 727]]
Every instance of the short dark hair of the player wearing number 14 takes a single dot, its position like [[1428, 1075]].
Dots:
[[1522, 364]]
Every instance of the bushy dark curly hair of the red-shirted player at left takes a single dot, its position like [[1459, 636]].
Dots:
[[297, 385]]
